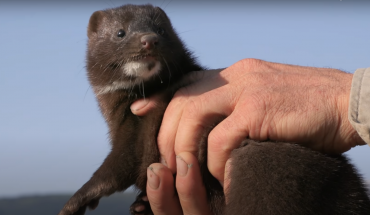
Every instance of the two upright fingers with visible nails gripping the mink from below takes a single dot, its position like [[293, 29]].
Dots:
[[191, 198]]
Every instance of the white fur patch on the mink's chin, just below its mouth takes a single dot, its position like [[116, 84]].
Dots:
[[142, 70]]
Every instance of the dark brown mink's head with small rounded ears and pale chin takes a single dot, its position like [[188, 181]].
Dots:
[[132, 46]]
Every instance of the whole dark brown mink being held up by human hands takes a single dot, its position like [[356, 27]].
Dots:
[[133, 51]]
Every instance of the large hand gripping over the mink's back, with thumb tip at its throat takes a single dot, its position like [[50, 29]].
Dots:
[[259, 100]]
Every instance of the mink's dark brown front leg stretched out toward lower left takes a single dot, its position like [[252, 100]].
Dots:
[[118, 171]]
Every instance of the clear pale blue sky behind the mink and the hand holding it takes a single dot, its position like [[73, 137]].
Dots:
[[52, 135]]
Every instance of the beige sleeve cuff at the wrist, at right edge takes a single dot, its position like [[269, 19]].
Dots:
[[359, 105]]
